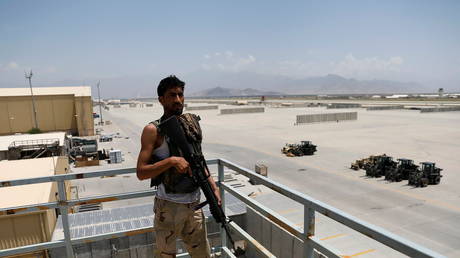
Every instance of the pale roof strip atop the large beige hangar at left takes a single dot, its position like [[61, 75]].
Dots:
[[78, 91]]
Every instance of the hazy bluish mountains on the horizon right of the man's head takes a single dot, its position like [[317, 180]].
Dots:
[[279, 85]]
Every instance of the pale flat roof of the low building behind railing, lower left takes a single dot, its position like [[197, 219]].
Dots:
[[26, 168]]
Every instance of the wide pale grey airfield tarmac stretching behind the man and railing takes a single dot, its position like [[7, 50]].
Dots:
[[427, 216]]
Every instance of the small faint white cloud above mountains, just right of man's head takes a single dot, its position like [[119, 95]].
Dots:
[[228, 61]]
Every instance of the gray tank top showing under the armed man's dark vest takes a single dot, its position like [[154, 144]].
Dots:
[[161, 153]]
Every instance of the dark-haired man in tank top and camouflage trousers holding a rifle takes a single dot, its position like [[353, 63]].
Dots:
[[159, 161]]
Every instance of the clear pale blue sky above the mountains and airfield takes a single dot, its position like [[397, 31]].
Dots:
[[140, 42]]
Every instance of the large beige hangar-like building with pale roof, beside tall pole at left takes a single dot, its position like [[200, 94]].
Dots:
[[66, 109]]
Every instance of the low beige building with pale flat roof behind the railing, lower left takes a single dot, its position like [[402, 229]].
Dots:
[[33, 227]]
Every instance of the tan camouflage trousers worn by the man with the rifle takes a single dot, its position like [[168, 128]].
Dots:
[[174, 220]]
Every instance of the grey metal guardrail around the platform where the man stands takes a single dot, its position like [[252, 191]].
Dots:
[[306, 236]]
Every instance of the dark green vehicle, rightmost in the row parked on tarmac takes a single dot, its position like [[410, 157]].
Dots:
[[427, 174]]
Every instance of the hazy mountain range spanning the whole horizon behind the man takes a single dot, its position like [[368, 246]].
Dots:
[[221, 83]]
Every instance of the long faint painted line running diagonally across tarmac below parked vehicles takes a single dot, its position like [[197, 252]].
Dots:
[[378, 184]]
